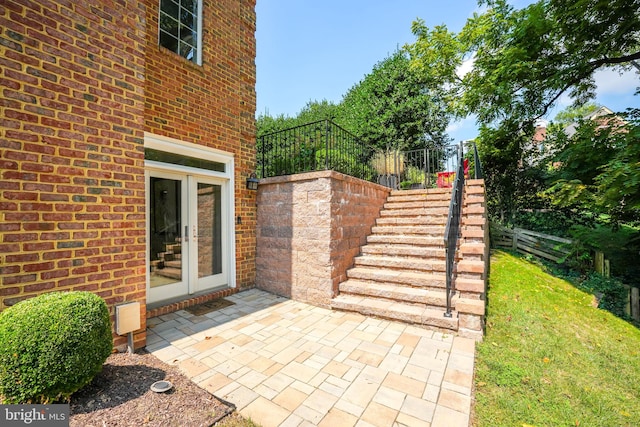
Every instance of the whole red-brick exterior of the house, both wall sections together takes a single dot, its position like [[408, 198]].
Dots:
[[82, 81]]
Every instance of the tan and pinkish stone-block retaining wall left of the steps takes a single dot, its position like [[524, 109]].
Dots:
[[310, 227]]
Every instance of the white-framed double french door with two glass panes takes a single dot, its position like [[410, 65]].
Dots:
[[187, 234]]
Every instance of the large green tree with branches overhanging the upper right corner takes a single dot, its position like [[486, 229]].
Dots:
[[524, 60]]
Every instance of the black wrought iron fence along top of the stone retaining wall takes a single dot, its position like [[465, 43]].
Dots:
[[324, 145]]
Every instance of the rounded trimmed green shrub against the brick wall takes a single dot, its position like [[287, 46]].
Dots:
[[52, 345]]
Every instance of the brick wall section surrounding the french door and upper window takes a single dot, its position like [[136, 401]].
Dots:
[[212, 105]]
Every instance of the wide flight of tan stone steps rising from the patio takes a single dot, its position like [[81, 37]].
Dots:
[[400, 273]]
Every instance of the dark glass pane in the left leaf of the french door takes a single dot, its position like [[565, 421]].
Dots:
[[165, 239]]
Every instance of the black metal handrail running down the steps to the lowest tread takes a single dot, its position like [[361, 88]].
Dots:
[[452, 228]]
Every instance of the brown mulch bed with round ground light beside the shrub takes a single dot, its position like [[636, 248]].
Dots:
[[120, 396]]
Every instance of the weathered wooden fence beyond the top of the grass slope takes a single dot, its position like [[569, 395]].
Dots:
[[555, 249]]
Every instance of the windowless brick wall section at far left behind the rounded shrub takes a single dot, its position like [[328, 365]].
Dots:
[[72, 188]]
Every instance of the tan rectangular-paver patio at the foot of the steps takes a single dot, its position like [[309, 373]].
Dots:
[[286, 363]]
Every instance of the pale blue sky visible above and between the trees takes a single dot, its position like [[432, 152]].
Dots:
[[312, 50]]
